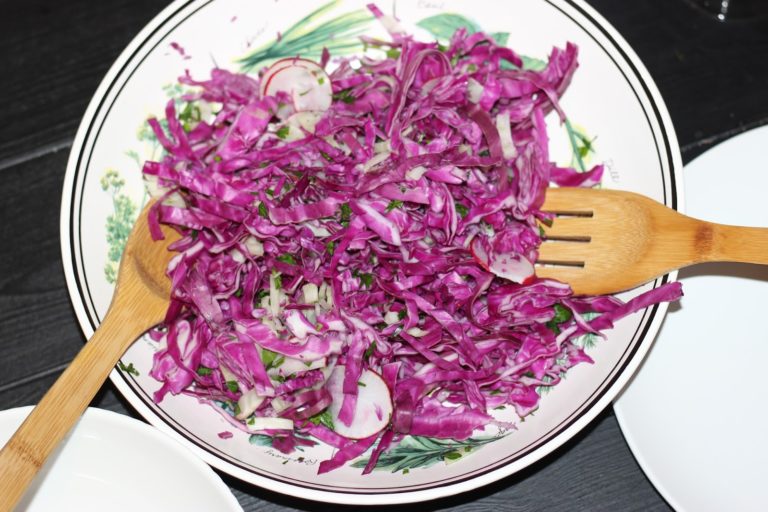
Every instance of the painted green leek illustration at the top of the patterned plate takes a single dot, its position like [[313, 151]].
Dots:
[[308, 36]]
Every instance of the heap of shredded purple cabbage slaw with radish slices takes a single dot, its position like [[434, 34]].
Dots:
[[358, 249]]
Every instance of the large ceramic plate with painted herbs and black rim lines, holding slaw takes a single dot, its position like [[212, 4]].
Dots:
[[615, 116]]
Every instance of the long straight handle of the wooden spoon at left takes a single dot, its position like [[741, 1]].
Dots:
[[61, 407]]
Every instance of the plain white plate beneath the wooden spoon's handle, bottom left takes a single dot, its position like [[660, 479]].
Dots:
[[112, 462]]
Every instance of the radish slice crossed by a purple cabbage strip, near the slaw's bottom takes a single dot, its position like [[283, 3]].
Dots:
[[373, 409]]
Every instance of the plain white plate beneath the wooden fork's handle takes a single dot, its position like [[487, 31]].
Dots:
[[695, 414]]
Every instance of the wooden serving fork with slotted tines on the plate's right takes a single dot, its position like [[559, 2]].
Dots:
[[607, 241]]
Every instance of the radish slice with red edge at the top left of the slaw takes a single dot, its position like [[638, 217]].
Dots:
[[305, 81]]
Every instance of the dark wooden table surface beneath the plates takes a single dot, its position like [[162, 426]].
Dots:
[[713, 76]]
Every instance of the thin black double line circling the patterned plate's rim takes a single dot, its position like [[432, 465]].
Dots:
[[607, 384]]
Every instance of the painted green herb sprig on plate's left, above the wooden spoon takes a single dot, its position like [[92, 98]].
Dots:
[[119, 222]]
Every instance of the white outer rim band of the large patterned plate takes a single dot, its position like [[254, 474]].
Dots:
[[674, 161]]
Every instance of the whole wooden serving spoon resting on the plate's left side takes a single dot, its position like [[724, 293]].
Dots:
[[139, 302]]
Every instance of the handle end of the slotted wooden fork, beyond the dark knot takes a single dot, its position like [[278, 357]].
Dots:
[[736, 244]]
